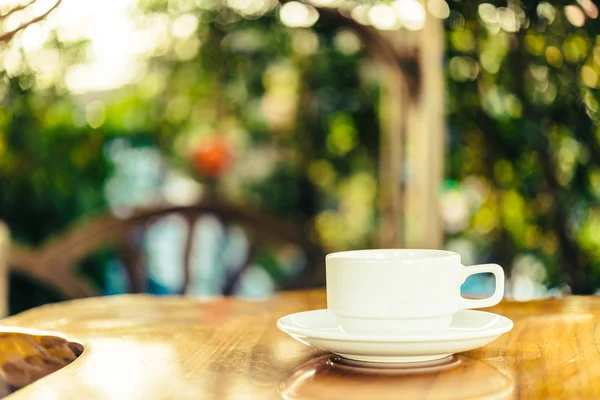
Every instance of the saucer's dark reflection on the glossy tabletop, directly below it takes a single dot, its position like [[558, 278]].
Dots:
[[331, 377]]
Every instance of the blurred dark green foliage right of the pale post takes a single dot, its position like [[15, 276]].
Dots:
[[523, 116]]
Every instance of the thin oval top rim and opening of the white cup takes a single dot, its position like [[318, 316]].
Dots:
[[368, 255]]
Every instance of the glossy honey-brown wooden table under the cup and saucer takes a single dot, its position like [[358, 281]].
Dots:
[[143, 347]]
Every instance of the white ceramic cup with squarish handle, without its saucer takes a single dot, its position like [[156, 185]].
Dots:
[[401, 291]]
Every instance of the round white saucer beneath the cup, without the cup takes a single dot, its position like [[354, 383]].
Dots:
[[469, 330]]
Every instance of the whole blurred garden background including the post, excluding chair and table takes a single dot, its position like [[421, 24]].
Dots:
[[291, 110]]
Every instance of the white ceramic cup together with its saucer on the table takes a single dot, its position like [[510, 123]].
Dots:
[[399, 306]]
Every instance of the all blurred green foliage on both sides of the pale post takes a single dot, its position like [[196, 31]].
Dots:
[[298, 107]]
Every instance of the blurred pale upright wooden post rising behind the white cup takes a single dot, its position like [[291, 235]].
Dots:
[[413, 139]]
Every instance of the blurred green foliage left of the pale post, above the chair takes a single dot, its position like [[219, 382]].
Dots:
[[297, 107]]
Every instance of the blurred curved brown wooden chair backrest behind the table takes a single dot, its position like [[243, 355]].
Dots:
[[54, 264]]
